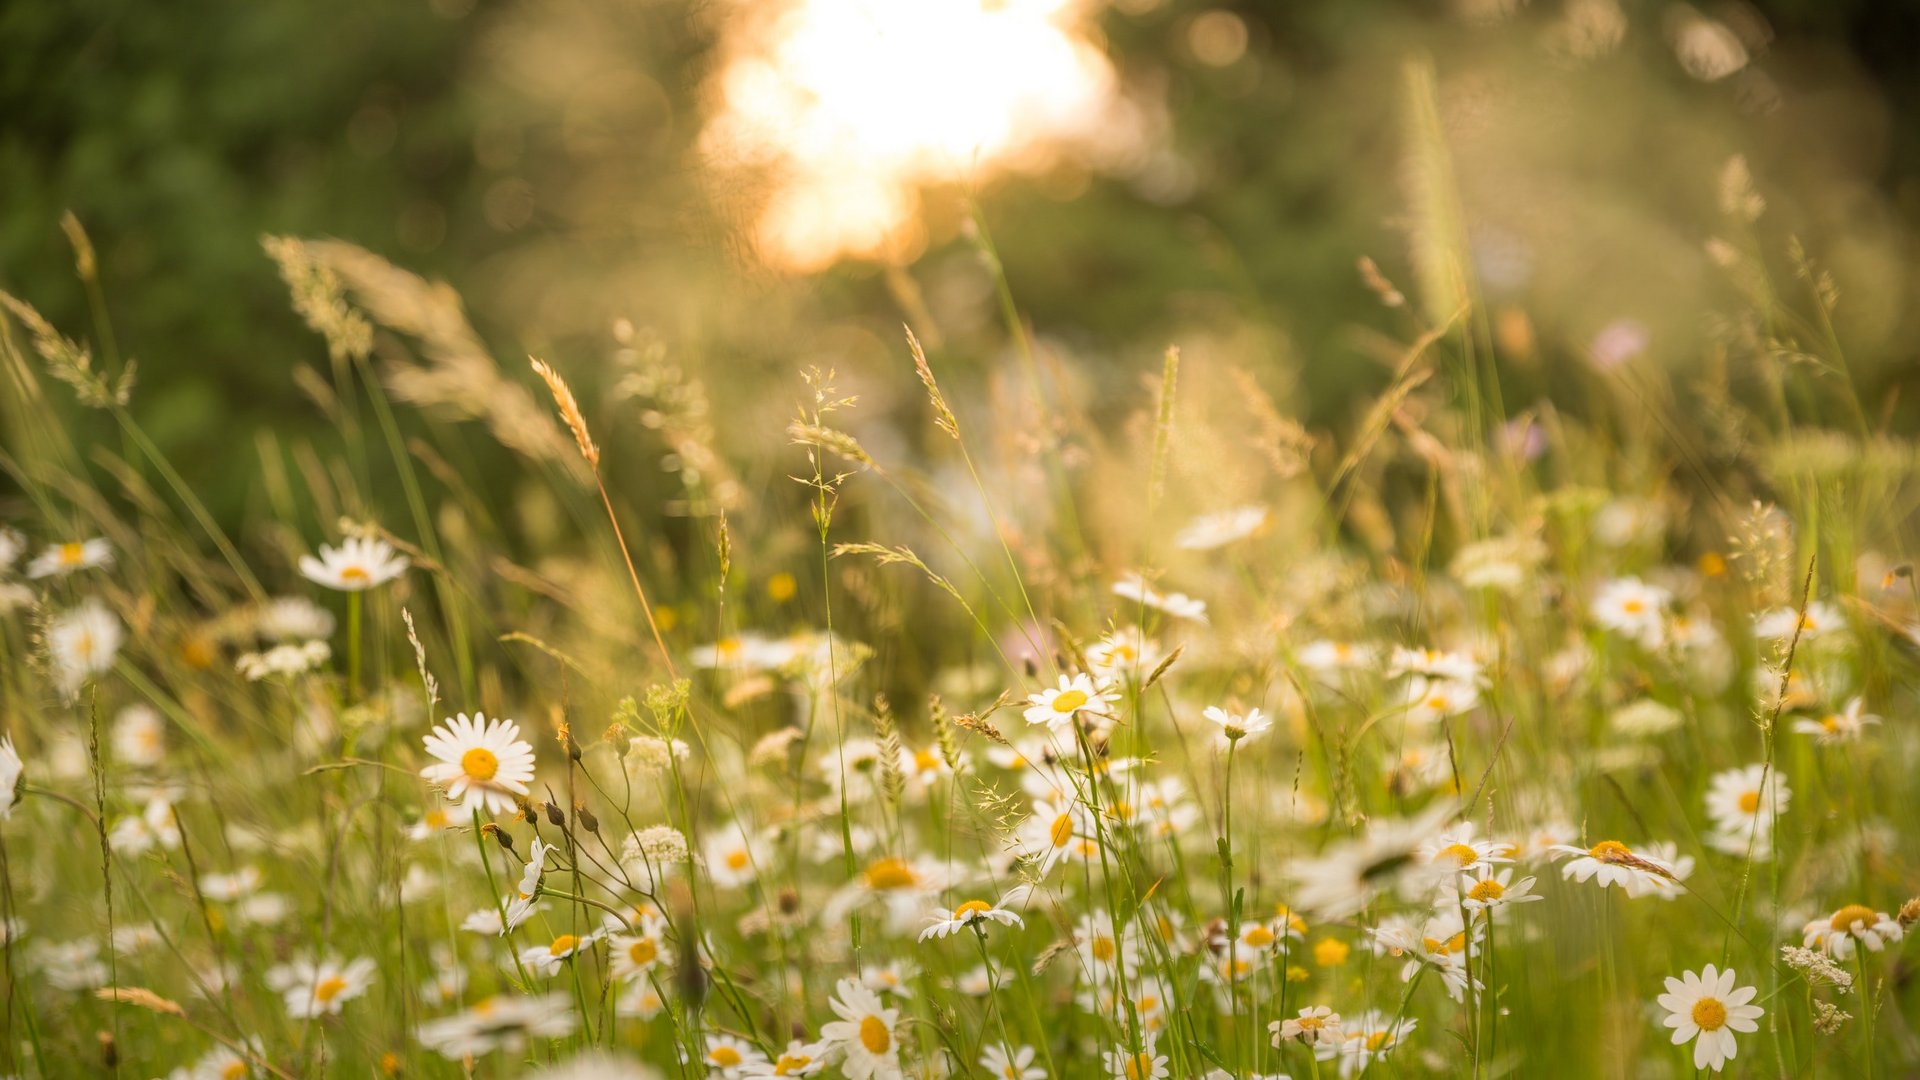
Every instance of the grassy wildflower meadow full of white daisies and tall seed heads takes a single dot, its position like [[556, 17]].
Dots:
[[978, 731]]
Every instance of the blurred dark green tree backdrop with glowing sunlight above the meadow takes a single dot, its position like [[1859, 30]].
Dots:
[[761, 187]]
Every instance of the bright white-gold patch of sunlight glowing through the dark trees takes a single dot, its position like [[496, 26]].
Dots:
[[850, 107]]
